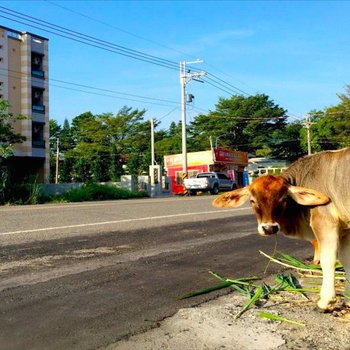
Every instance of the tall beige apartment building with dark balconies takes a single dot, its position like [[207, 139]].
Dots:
[[24, 83]]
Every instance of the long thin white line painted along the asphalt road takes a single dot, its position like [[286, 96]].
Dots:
[[121, 221]]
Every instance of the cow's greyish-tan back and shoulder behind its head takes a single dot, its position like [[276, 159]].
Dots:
[[327, 172]]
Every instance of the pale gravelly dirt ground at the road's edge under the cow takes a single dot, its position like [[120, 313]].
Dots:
[[212, 326]]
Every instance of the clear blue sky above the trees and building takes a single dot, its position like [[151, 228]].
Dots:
[[296, 52]]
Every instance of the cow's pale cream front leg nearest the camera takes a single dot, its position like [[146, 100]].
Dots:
[[328, 247]]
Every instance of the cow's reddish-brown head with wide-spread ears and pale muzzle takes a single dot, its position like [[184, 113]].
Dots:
[[269, 196]]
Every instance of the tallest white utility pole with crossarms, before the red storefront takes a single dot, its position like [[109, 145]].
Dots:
[[185, 77]]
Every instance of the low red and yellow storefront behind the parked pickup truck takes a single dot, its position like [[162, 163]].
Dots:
[[232, 163]]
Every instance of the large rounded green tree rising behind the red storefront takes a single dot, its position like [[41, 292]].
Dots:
[[244, 123]]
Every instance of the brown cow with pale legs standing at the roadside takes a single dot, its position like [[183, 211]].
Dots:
[[310, 200]]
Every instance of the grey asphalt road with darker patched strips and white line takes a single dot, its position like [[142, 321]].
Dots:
[[82, 276]]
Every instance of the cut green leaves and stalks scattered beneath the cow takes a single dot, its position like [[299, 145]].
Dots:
[[287, 287]]
